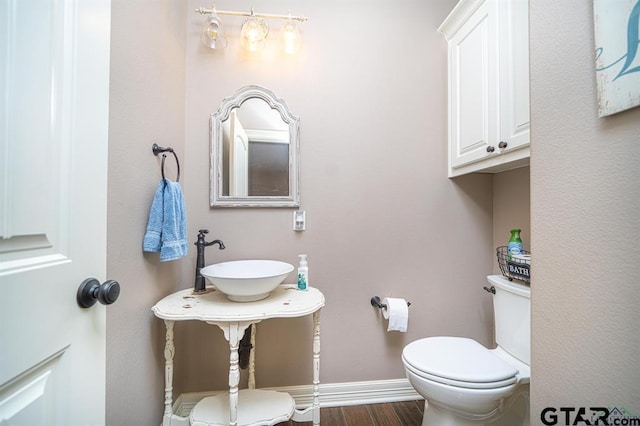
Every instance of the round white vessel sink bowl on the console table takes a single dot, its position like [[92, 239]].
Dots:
[[247, 280]]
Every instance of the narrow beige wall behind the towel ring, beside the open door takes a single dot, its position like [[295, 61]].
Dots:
[[146, 106]]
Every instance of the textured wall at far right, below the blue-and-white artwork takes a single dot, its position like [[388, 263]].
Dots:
[[585, 200]]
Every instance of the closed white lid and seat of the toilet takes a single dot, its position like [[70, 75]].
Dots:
[[457, 358]]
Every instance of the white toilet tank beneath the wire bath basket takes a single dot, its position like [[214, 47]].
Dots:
[[512, 316]]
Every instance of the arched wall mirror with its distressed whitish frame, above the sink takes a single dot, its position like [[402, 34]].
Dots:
[[254, 151]]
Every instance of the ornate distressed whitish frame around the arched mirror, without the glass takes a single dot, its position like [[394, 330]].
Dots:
[[220, 194]]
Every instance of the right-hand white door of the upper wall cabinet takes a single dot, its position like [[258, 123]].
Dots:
[[514, 73]]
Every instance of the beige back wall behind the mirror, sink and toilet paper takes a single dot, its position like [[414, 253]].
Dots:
[[383, 219]]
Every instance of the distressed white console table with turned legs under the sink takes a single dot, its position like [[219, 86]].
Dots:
[[248, 406]]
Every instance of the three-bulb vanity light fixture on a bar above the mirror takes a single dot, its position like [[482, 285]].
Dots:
[[254, 30]]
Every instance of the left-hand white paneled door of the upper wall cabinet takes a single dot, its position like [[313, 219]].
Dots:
[[473, 91]]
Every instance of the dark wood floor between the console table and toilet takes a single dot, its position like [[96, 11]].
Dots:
[[406, 413]]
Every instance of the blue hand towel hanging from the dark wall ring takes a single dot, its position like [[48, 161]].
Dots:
[[167, 226]]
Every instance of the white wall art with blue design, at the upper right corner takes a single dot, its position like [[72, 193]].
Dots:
[[617, 28]]
